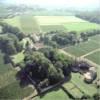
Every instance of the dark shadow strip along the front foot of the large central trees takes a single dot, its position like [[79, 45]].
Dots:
[[26, 80]]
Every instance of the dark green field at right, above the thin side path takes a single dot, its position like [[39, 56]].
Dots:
[[85, 47]]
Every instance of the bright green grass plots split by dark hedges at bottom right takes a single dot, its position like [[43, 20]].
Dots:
[[76, 87]]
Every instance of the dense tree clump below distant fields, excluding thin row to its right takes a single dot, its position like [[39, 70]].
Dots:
[[58, 39]]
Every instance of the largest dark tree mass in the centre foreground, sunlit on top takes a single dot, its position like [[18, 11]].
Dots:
[[40, 68]]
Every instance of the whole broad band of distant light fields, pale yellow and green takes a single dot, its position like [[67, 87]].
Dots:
[[31, 24]]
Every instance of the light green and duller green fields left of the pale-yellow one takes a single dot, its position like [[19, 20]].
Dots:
[[26, 23]]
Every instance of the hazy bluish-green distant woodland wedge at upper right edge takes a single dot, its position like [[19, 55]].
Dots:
[[90, 16]]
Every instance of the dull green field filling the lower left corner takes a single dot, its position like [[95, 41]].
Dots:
[[9, 86]]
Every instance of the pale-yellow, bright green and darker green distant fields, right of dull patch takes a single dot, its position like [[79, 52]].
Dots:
[[66, 23]]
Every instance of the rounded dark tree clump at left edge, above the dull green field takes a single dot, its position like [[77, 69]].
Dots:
[[9, 44]]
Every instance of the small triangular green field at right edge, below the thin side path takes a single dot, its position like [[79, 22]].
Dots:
[[95, 57]]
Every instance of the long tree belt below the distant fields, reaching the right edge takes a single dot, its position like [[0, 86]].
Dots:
[[58, 39]]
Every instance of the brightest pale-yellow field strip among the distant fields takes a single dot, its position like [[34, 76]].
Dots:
[[57, 20]]
